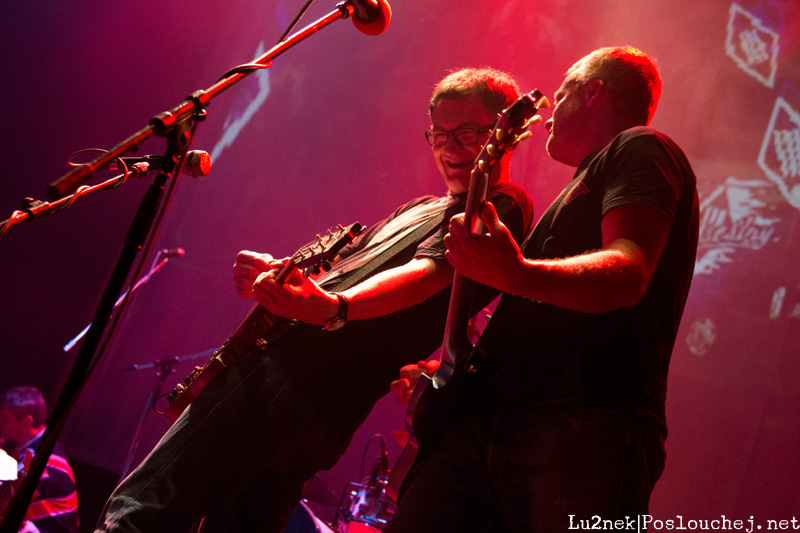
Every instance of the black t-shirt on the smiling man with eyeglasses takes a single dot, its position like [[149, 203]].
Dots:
[[344, 372]]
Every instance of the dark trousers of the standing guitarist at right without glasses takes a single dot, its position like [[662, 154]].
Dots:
[[540, 471]]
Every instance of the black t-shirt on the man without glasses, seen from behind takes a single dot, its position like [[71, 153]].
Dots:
[[543, 354]]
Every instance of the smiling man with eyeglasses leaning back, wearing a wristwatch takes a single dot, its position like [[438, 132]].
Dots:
[[239, 455]]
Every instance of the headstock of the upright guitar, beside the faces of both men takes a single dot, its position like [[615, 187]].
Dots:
[[511, 128]]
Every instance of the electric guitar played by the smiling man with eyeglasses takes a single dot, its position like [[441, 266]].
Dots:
[[260, 326]]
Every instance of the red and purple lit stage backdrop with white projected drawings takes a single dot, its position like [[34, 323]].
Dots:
[[332, 133]]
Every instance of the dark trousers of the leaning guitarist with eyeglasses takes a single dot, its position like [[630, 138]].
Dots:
[[239, 456]]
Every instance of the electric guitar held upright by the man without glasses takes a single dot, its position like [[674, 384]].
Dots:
[[427, 424]]
